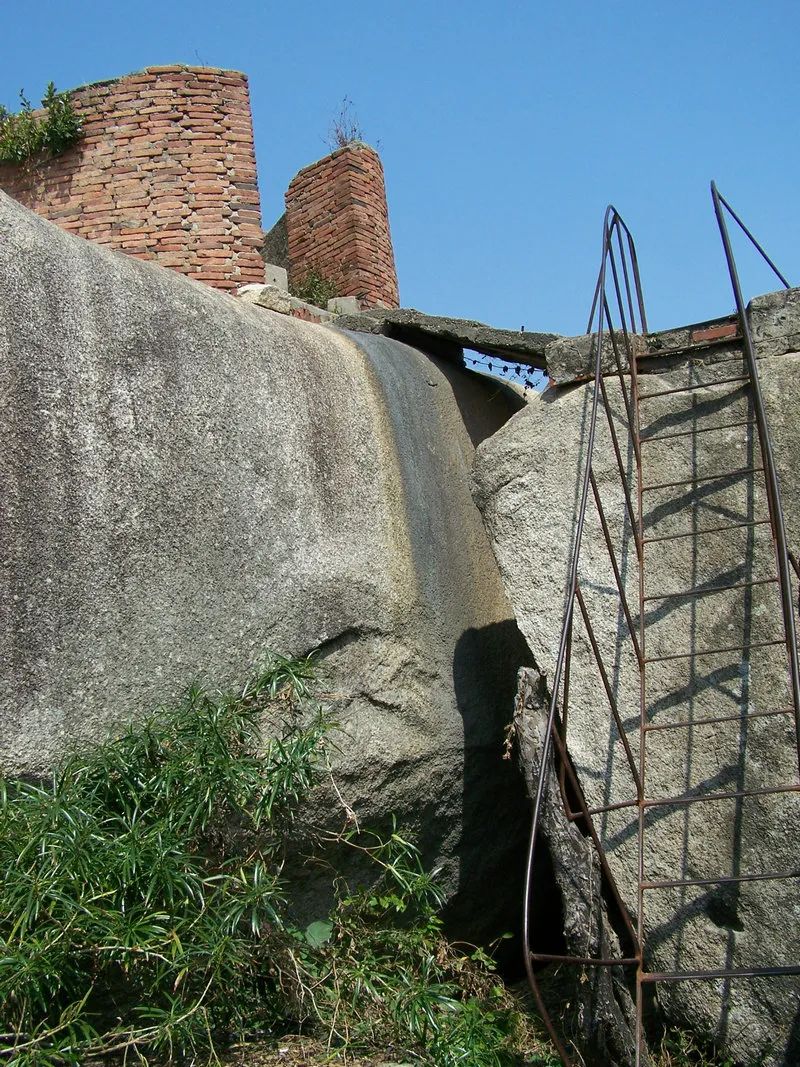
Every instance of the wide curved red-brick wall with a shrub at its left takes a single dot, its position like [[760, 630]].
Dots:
[[166, 171]]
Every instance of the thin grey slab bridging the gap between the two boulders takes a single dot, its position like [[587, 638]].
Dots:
[[420, 329]]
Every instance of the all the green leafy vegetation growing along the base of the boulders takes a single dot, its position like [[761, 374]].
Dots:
[[143, 909]]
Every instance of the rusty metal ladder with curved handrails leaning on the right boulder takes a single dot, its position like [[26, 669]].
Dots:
[[618, 315]]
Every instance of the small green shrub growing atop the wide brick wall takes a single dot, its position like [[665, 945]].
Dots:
[[25, 135]]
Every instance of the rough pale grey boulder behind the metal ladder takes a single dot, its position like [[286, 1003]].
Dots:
[[527, 481]]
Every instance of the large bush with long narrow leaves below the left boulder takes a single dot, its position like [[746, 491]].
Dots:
[[142, 905]]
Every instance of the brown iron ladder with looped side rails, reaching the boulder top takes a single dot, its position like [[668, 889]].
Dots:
[[556, 730]]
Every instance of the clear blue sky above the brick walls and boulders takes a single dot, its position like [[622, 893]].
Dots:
[[505, 129]]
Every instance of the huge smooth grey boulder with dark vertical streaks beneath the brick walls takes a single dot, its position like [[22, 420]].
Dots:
[[190, 481]]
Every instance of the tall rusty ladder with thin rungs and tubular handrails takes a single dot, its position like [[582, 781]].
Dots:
[[619, 288]]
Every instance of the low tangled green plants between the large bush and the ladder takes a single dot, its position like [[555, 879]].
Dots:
[[379, 973]]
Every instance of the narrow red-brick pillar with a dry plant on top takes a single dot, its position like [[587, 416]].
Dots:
[[338, 222]]
